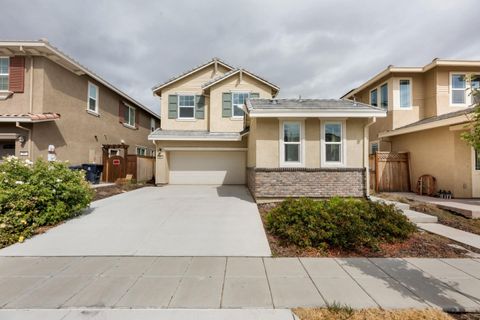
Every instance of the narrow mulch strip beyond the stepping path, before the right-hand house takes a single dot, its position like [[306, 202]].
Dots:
[[445, 217]]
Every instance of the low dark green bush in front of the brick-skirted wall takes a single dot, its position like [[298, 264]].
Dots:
[[339, 223]]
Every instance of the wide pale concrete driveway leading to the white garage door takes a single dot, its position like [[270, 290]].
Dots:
[[159, 221]]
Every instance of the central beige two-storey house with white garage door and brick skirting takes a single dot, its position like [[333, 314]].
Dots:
[[222, 125]]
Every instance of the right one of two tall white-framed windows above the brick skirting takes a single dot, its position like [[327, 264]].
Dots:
[[333, 143]]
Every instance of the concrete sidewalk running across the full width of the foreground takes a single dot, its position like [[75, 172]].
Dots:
[[237, 283]]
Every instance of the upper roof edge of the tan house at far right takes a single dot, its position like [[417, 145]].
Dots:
[[392, 69]]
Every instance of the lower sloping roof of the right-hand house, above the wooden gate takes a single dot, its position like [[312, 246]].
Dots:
[[447, 119]]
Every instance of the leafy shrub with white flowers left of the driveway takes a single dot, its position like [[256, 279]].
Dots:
[[38, 194]]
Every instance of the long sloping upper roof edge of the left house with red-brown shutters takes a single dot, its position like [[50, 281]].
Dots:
[[45, 49]]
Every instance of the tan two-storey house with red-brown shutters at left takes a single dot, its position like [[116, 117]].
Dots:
[[49, 102]]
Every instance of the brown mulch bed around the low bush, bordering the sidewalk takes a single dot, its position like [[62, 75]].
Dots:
[[421, 244]]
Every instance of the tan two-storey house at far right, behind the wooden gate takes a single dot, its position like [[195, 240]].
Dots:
[[427, 110]]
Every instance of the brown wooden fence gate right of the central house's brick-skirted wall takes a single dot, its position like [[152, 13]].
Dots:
[[389, 172]]
